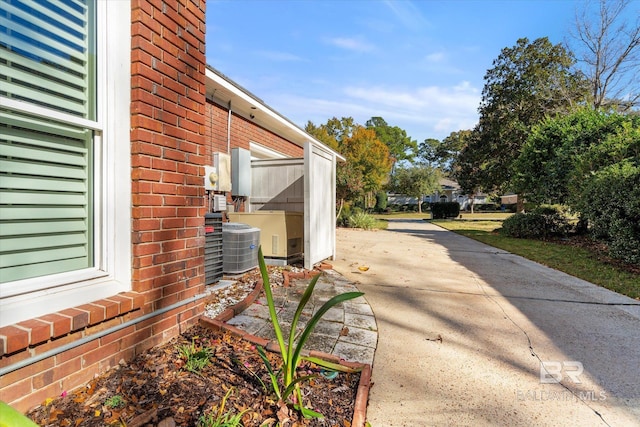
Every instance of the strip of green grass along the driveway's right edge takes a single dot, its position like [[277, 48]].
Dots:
[[576, 261]]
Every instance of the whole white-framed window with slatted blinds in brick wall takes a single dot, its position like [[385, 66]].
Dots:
[[61, 185]]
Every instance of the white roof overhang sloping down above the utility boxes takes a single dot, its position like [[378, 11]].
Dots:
[[223, 91]]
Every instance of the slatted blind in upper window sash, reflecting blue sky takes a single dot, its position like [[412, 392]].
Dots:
[[47, 54]]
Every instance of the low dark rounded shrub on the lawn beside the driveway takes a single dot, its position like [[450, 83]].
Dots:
[[541, 223]]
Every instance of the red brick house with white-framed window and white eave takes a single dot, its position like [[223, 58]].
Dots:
[[102, 196]]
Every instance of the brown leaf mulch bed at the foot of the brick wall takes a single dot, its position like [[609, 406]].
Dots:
[[156, 389]]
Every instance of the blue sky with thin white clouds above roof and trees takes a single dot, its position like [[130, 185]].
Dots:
[[418, 64]]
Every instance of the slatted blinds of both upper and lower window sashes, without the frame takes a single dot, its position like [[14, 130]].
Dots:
[[47, 58]]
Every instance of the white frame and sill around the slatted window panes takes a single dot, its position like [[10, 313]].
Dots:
[[111, 274]]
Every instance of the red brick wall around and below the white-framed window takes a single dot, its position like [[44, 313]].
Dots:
[[168, 151]]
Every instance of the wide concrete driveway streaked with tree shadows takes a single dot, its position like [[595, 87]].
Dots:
[[464, 330]]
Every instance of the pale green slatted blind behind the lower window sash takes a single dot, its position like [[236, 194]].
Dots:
[[45, 197]]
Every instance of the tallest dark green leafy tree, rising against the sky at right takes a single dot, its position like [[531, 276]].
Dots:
[[527, 82]]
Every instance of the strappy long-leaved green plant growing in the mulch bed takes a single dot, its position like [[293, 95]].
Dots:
[[291, 352]]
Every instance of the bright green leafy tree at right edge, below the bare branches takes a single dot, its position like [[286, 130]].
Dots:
[[562, 152]]
